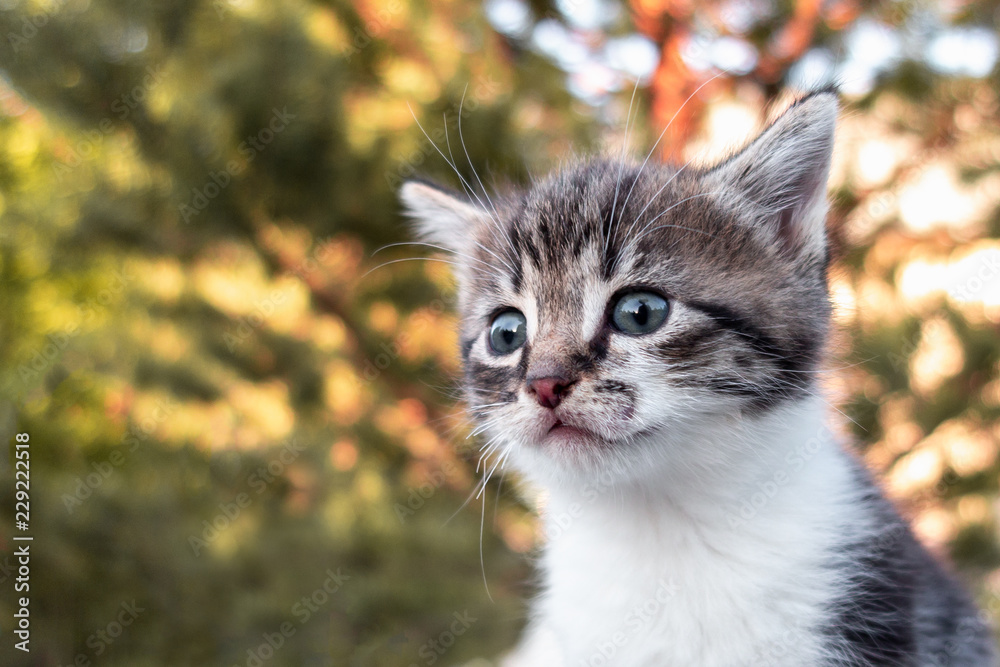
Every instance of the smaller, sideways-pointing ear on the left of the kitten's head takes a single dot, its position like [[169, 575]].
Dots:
[[442, 217]]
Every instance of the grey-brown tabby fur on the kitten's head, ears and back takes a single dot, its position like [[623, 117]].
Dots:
[[741, 246]]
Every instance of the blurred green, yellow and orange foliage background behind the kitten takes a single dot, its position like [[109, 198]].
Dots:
[[245, 441]]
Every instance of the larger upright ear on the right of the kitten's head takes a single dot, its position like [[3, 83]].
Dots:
[[783, 173]]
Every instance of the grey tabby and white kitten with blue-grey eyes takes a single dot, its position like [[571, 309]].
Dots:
[[642, 343]]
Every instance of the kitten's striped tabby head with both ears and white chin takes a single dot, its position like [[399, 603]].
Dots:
[[612, 310]]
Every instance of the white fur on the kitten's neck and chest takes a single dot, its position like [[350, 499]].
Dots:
[[665, 571]]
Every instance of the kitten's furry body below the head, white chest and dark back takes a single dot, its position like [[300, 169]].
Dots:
[[818, 571]]
